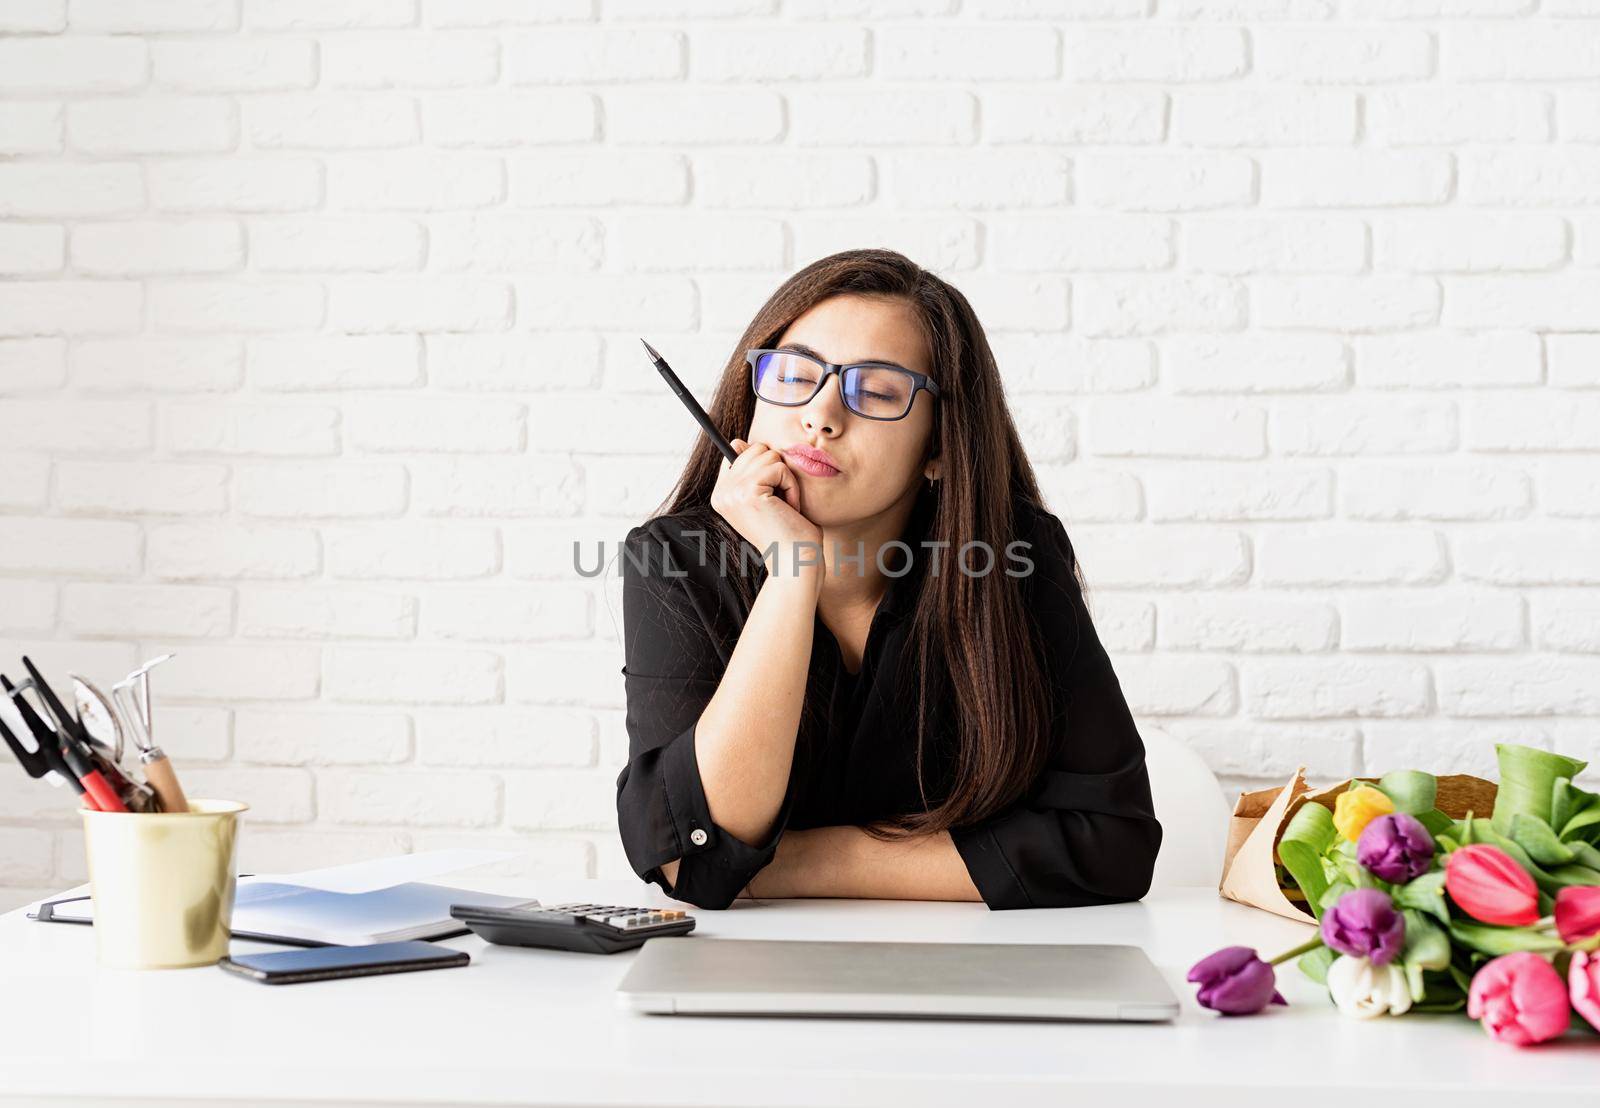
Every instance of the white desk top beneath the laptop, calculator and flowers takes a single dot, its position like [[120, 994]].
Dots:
[[542, 1027]]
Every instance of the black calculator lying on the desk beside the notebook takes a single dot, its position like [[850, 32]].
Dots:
[[593, 929]]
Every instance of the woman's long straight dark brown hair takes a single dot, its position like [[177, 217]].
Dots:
[[975, 643]]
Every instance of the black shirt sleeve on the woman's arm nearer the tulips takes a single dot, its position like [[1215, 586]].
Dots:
[[1087, 832]]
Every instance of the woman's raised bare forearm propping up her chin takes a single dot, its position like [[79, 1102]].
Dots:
[[745, 741]]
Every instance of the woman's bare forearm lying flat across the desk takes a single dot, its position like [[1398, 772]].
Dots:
[[849, 862]]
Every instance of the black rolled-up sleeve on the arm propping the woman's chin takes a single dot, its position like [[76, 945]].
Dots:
[[673, 667]]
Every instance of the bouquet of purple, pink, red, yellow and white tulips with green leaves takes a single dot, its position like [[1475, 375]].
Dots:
[[1418, 912]]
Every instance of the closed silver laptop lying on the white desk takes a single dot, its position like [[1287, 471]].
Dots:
[[689, 976]]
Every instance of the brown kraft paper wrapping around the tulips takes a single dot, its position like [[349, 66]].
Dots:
[[1260, 819]]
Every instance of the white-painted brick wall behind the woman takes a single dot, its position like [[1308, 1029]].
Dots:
[[319, 350]]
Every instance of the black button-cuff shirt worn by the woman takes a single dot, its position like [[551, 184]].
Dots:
[[1084, 835]]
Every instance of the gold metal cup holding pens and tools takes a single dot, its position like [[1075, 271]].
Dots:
[[162, 885]]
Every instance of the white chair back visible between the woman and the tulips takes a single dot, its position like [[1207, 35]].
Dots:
[[1193, 811]]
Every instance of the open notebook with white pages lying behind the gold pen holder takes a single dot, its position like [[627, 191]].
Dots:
[[273, 912]]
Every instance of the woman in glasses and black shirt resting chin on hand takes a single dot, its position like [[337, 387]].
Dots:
[[889, 723]]
